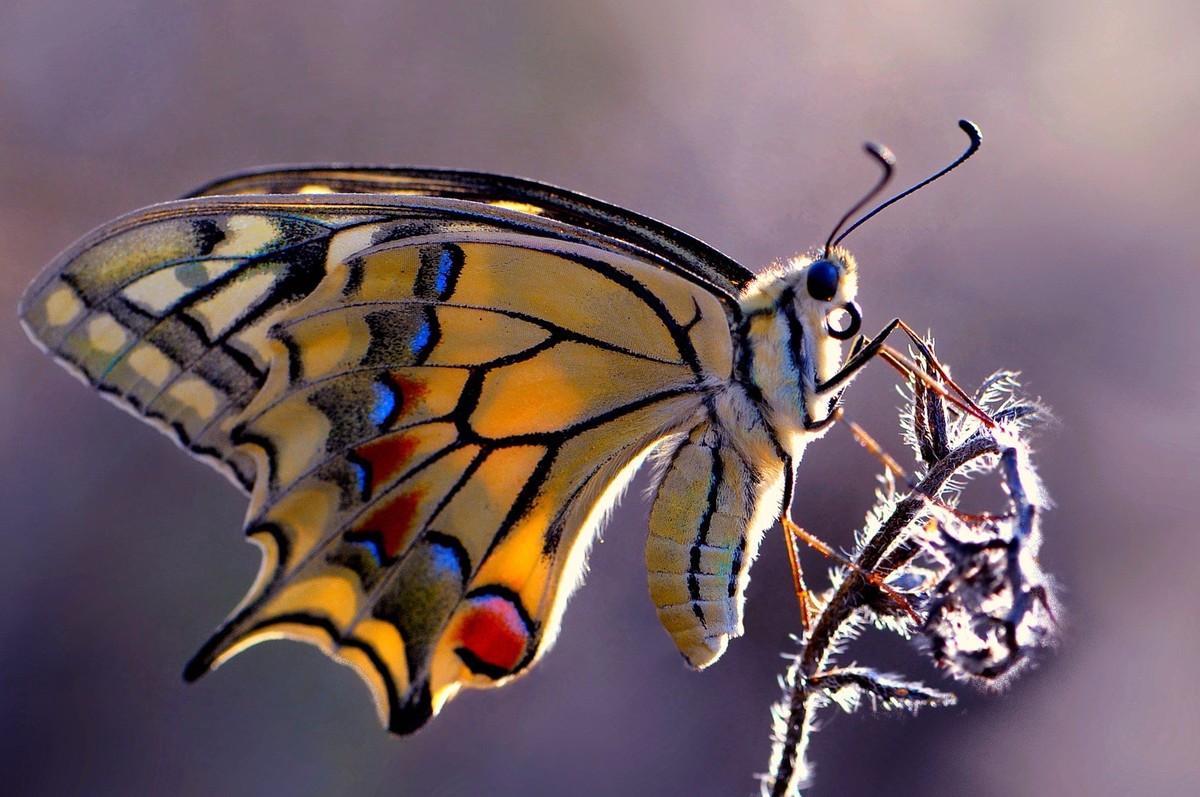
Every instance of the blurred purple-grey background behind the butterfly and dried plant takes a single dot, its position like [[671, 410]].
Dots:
[[1067, 249]]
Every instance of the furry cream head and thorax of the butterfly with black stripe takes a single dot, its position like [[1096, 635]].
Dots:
[[787, 351]]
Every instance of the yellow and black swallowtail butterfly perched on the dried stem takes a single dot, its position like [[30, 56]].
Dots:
[[435, 385]]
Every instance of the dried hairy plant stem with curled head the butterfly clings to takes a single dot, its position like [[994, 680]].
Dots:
[[974, 582]]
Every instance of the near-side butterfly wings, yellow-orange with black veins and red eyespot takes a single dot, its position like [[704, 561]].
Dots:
[[433, 400]]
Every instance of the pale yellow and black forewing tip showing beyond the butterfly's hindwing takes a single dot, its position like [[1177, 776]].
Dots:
[[169, 314]]
